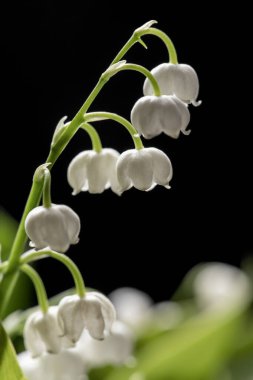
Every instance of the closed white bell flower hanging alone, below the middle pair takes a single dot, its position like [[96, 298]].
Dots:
[[55, 227]]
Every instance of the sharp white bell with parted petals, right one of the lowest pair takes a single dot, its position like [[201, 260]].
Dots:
[[93, 312]]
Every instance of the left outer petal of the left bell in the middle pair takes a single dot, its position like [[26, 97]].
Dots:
[[77, 171]]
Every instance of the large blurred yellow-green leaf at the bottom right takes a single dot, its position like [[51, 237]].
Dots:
[[196, 350]]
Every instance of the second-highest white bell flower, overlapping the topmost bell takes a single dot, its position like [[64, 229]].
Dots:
[[152, 115]]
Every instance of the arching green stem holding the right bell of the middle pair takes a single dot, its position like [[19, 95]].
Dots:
[[96, 116]]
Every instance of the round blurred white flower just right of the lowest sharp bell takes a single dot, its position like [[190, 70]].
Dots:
[[132, 306]]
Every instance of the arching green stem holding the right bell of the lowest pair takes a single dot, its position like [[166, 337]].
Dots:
[[72, 267]]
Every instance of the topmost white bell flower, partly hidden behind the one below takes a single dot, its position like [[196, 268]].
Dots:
[[175, 79]]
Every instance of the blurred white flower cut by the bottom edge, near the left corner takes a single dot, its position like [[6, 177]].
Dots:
[[66, 365]]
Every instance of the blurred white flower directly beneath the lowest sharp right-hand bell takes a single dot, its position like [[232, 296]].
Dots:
[[116, 348]]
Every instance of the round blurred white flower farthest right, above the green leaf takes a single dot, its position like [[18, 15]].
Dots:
[[219, 287]]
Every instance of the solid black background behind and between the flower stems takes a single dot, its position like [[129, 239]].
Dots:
[[51, 57]]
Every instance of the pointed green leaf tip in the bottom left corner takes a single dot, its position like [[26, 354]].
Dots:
[[9, 368]]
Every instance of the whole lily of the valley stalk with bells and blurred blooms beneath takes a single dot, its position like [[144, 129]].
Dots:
[[54, 335]]
